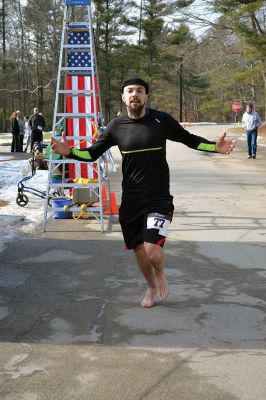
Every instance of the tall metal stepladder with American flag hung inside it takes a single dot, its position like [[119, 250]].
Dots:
[[77, 113]]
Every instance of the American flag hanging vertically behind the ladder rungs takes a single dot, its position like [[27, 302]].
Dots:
[[79, 126]]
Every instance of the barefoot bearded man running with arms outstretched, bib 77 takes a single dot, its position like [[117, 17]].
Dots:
[[147, 207]]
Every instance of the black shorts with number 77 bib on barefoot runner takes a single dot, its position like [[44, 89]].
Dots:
[[140, 225]]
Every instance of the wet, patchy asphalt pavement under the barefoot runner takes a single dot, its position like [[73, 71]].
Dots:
[[70, 322]]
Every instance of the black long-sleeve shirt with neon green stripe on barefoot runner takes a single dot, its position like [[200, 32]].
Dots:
[[142, 143]]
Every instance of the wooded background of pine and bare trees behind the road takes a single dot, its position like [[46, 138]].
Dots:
[[197, 64]]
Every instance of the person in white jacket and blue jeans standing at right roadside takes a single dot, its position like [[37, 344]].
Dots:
[[251, 122]]
